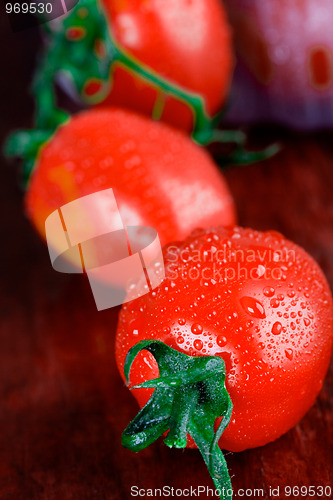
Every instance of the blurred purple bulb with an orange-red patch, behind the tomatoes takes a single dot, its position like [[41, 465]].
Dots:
[[285, 66]]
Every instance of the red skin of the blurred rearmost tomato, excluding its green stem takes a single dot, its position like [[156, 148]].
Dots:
[[188, 43]]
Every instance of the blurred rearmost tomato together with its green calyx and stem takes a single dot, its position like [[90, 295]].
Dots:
[[170, 60]]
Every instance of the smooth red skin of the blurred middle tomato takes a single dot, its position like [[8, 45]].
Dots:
[[159, 176]]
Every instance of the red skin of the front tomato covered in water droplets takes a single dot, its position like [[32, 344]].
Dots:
[[275, 335]]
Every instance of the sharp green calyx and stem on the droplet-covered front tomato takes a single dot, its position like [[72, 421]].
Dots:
[[189, 396]]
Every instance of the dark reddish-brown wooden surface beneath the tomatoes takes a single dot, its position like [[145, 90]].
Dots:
[[63, 405]]
